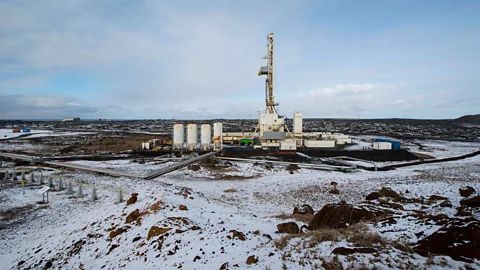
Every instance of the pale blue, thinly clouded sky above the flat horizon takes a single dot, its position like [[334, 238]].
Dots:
[[199, 59]]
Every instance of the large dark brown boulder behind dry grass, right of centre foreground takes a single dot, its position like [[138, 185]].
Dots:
[[341, 214]]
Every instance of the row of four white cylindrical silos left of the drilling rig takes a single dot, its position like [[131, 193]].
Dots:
[[192, 136]]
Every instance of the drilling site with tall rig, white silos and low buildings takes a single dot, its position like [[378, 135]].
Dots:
[[271, 133]]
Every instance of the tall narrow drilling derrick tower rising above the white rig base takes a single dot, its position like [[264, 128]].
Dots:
[[268, 71]]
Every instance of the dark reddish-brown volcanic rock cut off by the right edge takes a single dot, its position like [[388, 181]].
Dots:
[[460, 239]]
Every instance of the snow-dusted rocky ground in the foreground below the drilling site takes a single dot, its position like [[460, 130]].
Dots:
[[74, 232]]
